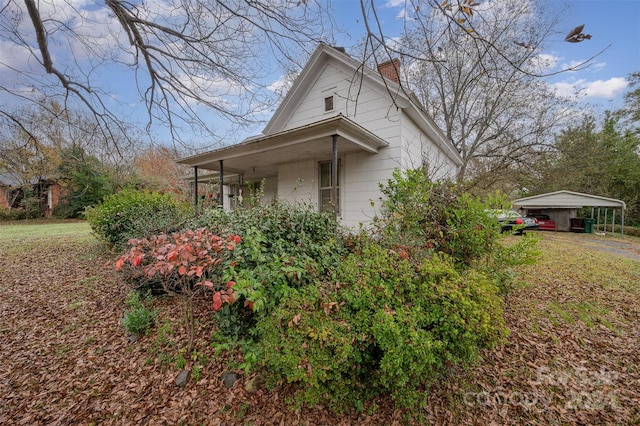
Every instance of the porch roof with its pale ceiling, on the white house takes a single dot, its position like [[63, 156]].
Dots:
[[259, 157]]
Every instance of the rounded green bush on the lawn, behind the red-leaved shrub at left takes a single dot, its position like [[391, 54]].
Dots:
[[133, 213]]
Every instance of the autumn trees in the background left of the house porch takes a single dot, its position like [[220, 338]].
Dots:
[[71, 152]]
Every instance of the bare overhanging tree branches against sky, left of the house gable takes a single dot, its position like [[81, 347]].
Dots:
[[186, 59]]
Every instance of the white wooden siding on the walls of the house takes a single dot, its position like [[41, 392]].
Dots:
[[361, 172]]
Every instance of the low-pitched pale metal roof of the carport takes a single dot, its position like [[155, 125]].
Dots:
[[567, 200]]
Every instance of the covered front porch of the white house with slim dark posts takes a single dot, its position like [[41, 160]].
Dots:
[[262, 157]]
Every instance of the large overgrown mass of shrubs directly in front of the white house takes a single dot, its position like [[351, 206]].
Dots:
[[387, 311]]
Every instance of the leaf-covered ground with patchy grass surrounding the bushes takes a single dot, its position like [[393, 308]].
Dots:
[[573, 356]]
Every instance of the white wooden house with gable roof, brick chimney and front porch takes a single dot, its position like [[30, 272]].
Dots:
[[340, 131]]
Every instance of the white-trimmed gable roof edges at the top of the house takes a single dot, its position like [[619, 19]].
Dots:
[[324, 55]]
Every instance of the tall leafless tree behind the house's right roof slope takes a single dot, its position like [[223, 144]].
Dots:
[[478, 68]]
